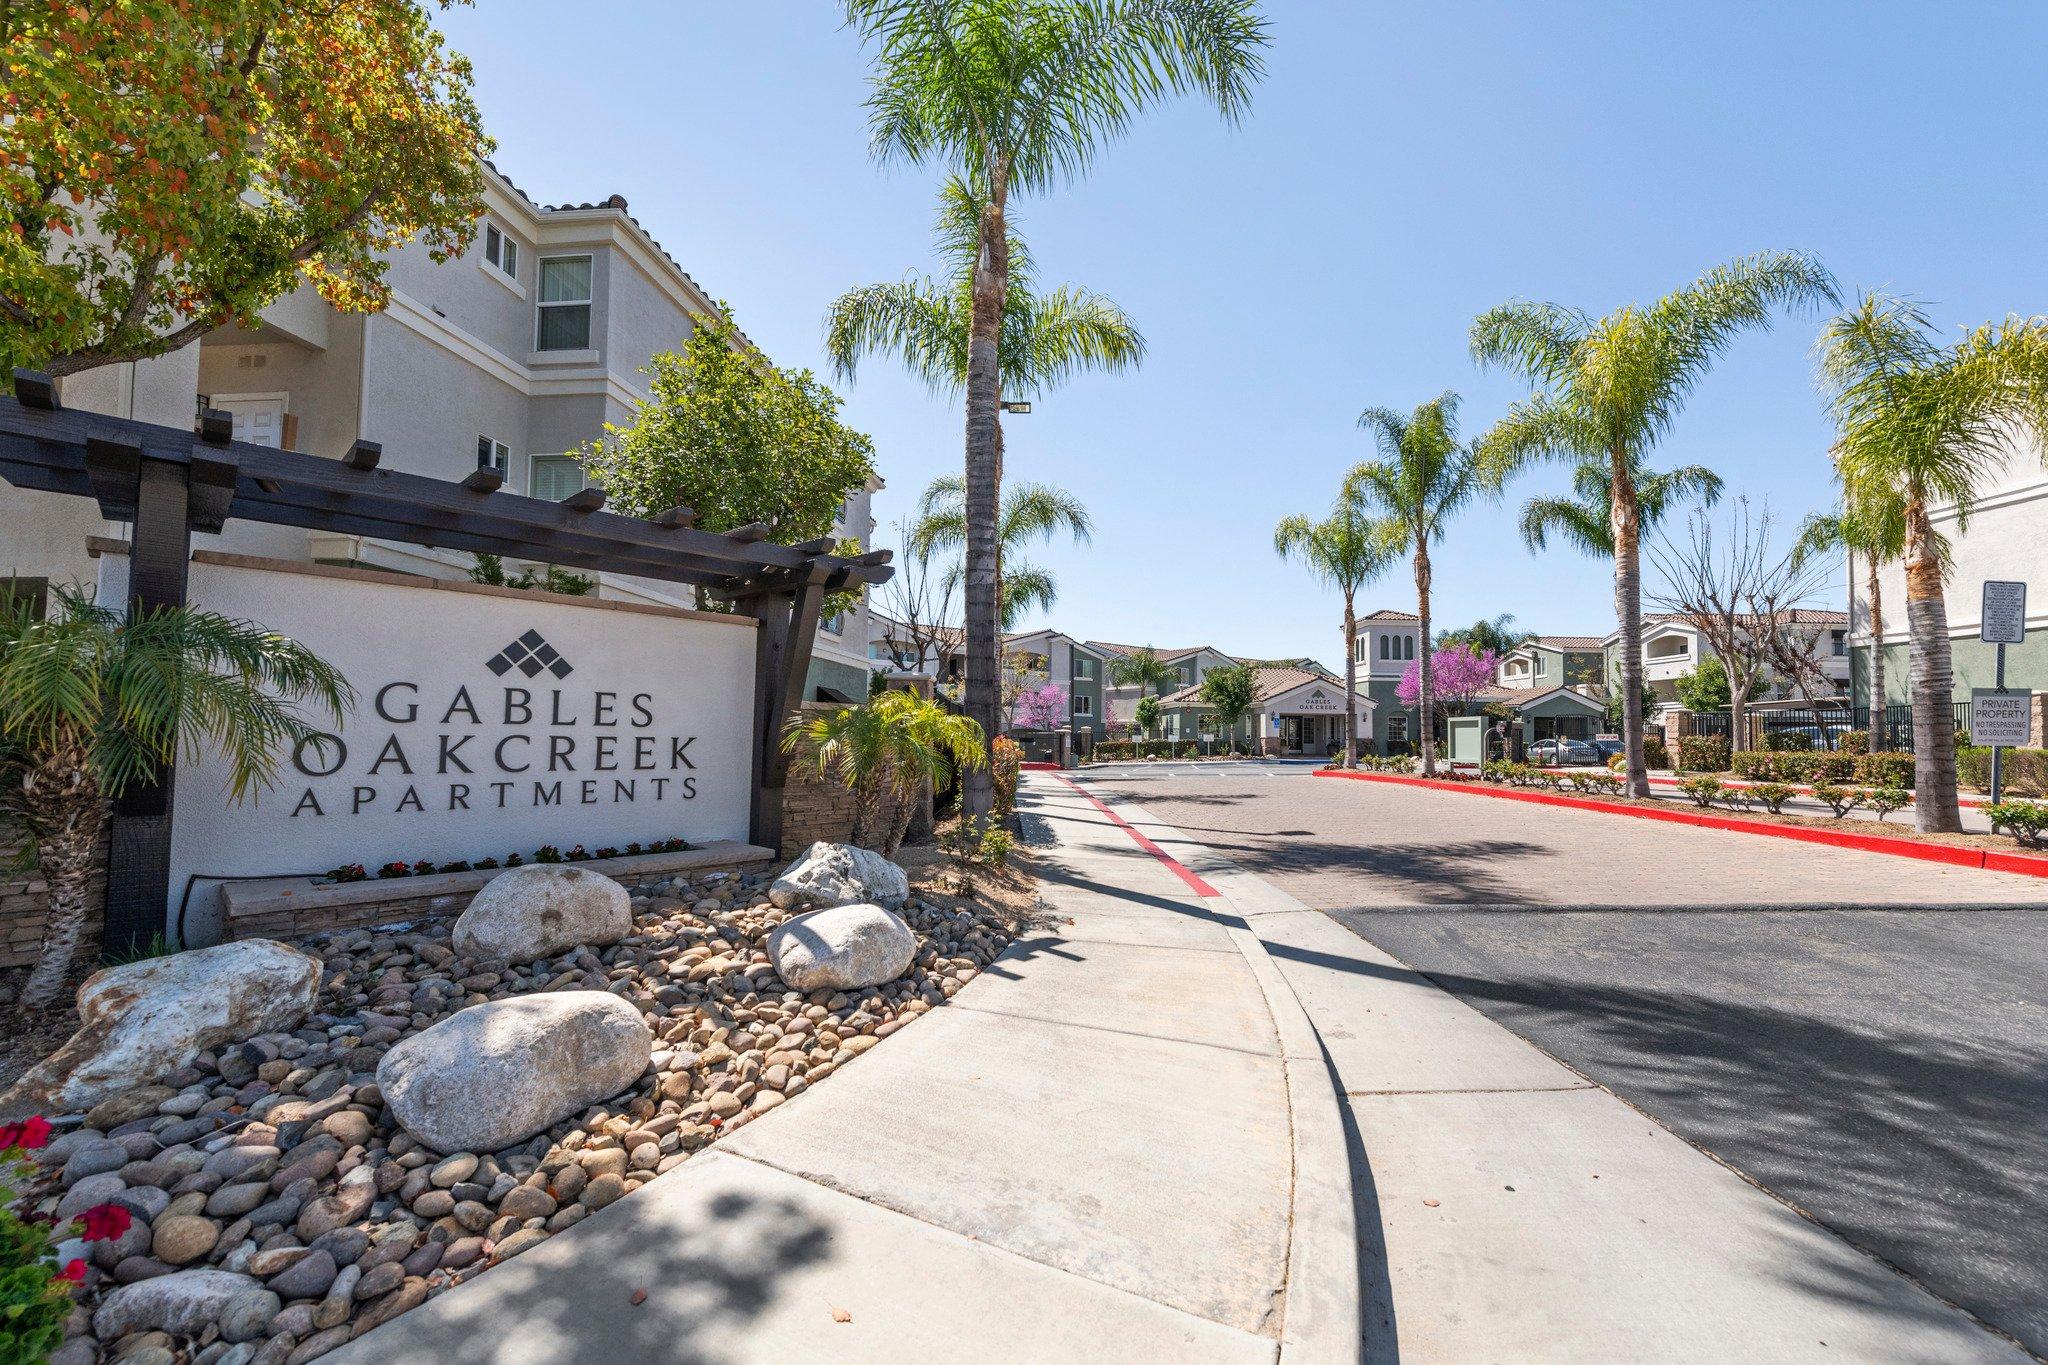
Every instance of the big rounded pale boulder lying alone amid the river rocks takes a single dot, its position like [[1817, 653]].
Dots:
[[503, 1071]]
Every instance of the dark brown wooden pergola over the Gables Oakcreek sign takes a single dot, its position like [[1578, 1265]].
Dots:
[[171, 482]]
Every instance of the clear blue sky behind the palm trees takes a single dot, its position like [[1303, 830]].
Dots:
[[1404, 169]]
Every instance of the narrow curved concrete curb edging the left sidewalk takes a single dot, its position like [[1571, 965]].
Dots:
[[1324, 1315]]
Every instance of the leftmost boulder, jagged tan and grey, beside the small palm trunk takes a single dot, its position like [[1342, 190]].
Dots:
[[148, 1018]]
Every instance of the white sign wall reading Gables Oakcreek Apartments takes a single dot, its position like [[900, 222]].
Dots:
[[484, 725]]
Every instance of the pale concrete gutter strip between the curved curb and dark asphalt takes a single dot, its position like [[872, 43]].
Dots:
[[1517, 1213]]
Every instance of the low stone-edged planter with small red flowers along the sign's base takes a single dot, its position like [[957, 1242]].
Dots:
[[300, 908]]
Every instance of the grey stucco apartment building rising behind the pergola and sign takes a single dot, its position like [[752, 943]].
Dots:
[[509, 357]]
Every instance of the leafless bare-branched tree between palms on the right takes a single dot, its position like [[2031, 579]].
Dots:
[[1742, 595]]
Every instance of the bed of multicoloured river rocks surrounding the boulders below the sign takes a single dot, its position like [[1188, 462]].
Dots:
[[280, 1159]]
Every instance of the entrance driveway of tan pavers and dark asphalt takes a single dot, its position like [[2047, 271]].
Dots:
[[1881, 1069]]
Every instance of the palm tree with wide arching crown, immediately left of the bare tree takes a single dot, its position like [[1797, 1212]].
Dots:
[[1611, 390]]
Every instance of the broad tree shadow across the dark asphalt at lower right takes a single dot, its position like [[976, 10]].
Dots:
[[1930, 1153]]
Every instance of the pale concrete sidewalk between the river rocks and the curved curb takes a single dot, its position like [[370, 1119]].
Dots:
[[1117, 1143]]
